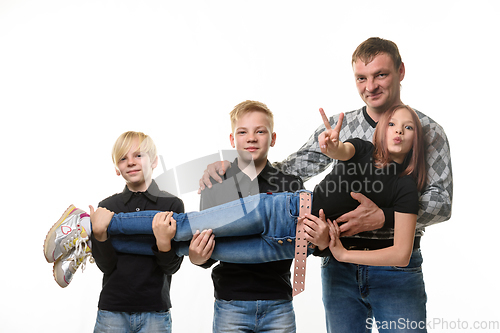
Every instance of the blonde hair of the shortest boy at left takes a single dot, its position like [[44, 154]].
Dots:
[[125, 142]]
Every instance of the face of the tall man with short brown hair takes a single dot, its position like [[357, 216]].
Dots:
[[378, 82]]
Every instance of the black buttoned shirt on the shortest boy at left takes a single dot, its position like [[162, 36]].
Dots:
[[137, 283]]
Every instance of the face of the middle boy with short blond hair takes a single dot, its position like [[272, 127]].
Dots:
[[252, 134]]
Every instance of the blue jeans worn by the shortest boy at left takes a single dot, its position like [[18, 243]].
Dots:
[[140, 322]]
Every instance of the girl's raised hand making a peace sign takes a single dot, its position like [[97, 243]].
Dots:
[[329, 142]]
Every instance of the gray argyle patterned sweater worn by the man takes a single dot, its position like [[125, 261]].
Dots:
[[435, 199]]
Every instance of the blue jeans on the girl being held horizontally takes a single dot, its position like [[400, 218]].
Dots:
[[132, 232]]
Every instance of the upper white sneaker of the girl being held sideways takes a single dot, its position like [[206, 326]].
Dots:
[[65, 234]]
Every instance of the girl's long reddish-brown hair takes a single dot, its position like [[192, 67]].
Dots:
[[415, 157]]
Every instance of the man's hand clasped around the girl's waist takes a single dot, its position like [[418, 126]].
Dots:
[[366, 217]]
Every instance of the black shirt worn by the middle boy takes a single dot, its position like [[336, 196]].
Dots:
[[247, 282]]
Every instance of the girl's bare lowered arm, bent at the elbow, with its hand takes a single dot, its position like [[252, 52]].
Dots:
[[397, 255]]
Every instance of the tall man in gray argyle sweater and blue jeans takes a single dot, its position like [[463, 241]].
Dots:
[[357, 297]]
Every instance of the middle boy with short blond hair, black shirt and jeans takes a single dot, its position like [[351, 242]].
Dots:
[[249, 297]]
